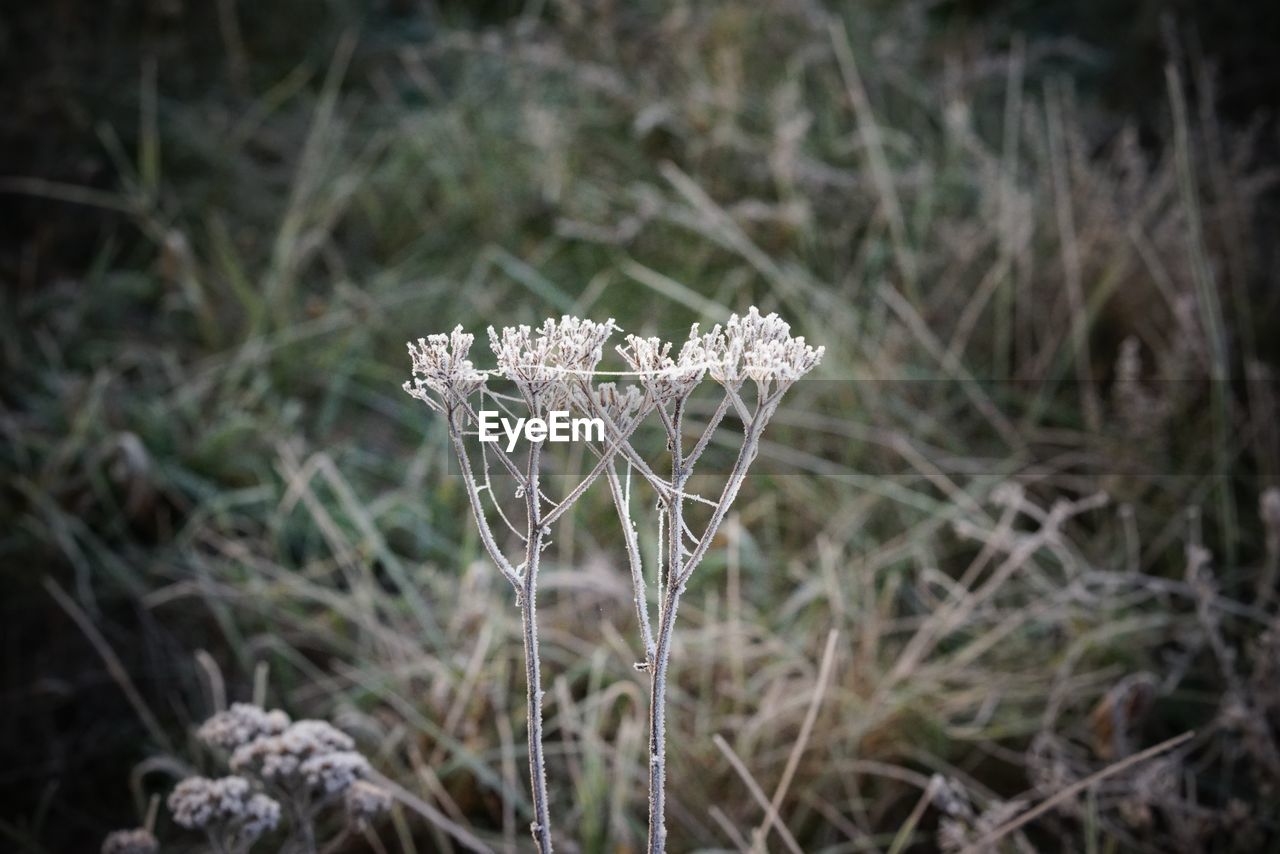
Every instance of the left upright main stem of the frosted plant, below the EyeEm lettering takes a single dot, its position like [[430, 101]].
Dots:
[[542, 828]]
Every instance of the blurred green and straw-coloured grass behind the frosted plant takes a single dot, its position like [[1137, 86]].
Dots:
[[1037, 239]]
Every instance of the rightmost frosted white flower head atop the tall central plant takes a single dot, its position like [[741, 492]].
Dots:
[[758, 348]]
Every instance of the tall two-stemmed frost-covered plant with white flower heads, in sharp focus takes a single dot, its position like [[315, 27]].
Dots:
[[555, 367]]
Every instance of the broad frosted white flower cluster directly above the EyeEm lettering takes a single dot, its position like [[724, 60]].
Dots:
[[545, 364]]
